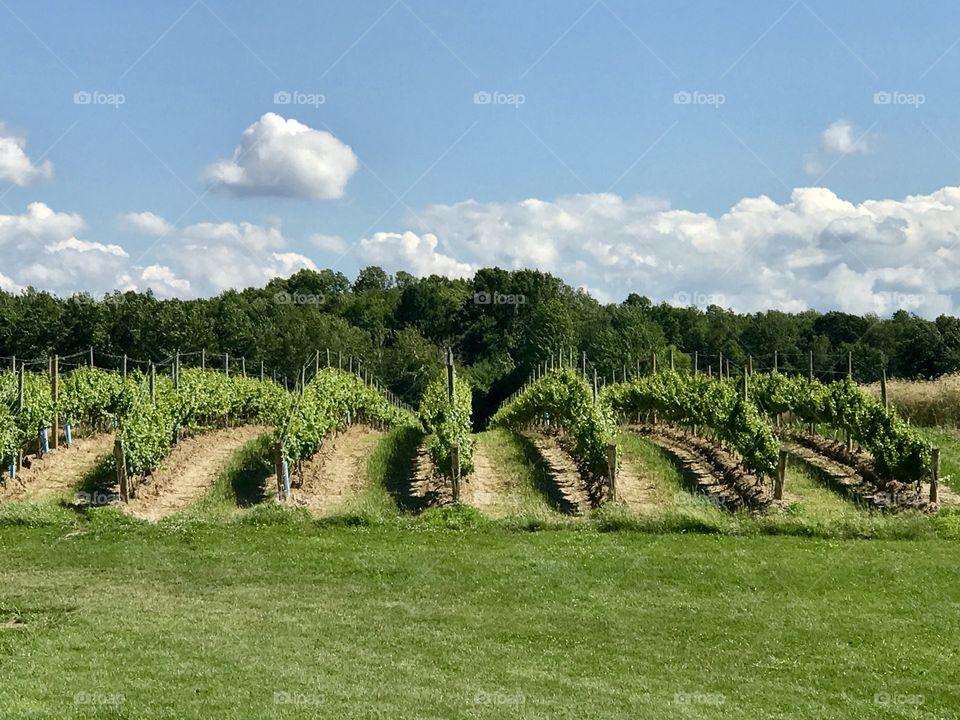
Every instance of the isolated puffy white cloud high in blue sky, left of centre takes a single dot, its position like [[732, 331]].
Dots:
[[285, 157]]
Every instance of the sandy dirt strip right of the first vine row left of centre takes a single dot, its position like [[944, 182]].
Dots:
[[337, 473]]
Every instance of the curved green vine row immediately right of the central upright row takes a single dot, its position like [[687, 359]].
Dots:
[[566, 400]]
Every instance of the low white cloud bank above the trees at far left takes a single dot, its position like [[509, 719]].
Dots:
[[41, 248]]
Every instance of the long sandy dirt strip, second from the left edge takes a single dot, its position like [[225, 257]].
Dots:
[[189, 472]]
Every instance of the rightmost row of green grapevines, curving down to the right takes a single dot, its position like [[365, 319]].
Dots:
[[898, 451]]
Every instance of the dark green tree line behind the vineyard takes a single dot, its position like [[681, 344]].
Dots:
[[501, 324]]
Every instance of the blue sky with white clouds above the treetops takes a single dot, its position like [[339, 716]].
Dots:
[[774, 154]]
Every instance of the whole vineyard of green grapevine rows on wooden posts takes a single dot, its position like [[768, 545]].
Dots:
[[730, 437]]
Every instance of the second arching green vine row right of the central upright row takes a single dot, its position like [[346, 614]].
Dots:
[[695, 399]]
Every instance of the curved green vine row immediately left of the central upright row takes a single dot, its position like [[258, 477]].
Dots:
[[323, 408]]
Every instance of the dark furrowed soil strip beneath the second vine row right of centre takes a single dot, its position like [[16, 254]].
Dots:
[[715, 471]]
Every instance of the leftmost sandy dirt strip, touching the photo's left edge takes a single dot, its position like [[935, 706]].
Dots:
[[58, 471]]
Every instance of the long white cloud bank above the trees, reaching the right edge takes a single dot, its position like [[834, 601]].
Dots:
[[816, 250]]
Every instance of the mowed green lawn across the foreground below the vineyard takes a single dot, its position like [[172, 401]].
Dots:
[[237, 620]]
